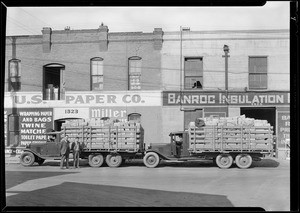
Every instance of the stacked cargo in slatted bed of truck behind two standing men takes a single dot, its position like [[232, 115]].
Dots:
[[97, 134]]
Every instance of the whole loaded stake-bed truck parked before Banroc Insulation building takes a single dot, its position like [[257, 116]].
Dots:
[[224, 144]]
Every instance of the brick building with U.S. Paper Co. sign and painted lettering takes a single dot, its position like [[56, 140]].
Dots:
[[81, 74]]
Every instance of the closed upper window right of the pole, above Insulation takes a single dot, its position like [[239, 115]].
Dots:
[[258, 72]]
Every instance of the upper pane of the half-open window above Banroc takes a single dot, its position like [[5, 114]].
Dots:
[[193, 67]]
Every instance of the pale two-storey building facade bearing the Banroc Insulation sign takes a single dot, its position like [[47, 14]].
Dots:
[[258, 75]]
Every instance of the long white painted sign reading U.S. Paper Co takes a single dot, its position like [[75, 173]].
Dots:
[[76, 99]]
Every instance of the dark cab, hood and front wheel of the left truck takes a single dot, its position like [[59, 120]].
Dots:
[[39, 152]]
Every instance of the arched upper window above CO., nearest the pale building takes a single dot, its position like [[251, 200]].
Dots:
[[135, 73]]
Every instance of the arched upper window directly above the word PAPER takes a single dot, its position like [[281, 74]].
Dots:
[[97, 74]]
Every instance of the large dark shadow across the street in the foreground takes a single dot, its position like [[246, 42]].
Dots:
[[78, 194]]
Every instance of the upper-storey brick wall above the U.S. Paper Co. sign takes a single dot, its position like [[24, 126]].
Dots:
[[75, 48]]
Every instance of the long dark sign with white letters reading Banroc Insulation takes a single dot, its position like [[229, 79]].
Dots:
[[220, 98]]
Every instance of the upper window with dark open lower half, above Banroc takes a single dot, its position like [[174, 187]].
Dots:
[[193, 73]]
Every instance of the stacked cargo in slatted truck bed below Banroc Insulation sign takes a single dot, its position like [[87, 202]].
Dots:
[[231, 134]]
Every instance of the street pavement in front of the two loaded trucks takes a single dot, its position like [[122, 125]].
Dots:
[[198, 184]]
